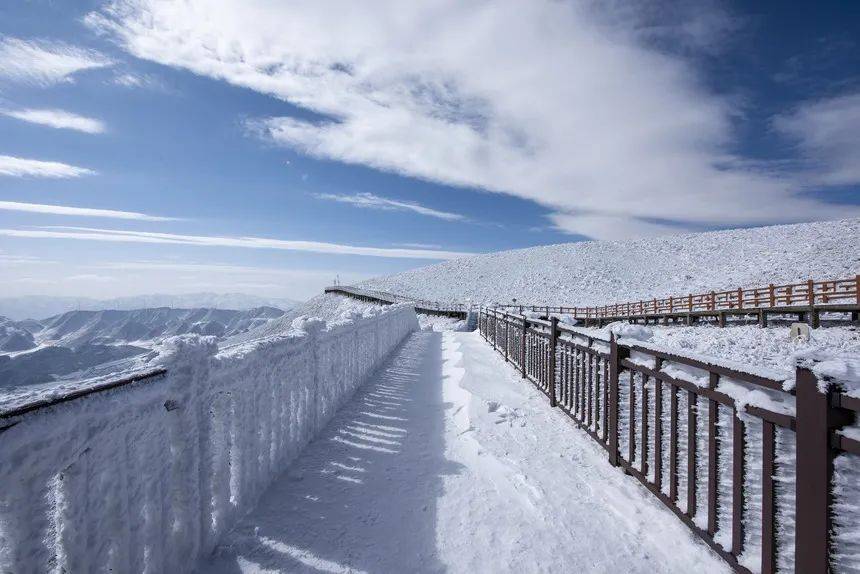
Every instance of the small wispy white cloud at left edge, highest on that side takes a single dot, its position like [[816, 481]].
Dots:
[[43, 62]]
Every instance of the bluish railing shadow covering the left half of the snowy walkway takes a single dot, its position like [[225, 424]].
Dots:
[[362, 497]]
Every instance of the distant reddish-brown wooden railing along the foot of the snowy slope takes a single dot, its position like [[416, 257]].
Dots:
[[804, 295]]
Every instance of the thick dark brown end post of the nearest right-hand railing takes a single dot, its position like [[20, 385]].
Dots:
[[815, 420]]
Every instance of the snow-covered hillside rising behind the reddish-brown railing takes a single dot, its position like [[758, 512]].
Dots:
[[601, 272]]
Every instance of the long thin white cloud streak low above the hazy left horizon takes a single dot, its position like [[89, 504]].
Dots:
[[123, 236]]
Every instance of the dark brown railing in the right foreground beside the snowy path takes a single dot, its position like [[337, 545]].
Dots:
[[673, 423]]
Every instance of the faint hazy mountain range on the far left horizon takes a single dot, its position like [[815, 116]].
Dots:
[[39, 307]]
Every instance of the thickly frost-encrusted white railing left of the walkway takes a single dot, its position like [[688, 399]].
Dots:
[[146, 478]]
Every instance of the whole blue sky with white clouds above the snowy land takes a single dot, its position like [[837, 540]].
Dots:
[[260, 147]]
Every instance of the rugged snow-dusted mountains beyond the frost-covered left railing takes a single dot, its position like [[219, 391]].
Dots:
[[41, 351]]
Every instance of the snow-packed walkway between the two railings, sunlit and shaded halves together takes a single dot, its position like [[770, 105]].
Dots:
[[448, 461]]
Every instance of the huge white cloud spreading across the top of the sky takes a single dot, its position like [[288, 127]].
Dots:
[[570, 104]]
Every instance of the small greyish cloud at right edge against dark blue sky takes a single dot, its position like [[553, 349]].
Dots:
[[827, 132]]
